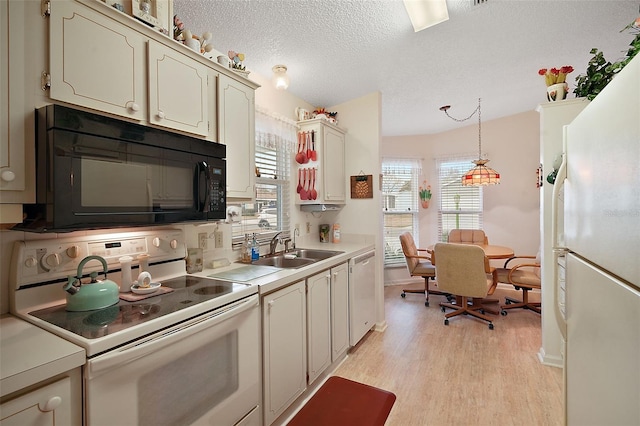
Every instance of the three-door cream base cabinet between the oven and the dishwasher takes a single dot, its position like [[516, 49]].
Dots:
[[305, 329]]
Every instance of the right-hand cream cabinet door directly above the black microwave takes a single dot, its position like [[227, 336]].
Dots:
[[177, 90]]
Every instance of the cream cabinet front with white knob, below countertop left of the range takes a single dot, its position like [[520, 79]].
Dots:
[[48, 405]]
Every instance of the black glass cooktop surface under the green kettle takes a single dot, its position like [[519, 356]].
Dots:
[[188, 291]]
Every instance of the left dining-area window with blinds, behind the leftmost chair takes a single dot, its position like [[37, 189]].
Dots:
[[399, 205]]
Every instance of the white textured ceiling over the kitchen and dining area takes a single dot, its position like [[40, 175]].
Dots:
[[338, 50]]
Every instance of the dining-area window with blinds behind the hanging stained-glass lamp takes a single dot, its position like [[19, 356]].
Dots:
[[460, 206]]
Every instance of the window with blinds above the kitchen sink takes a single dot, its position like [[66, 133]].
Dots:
[[269, 214]]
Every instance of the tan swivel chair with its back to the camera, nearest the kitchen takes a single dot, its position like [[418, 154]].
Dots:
[[464, 271]]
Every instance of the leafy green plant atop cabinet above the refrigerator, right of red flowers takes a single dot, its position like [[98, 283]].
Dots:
[[600, 71]]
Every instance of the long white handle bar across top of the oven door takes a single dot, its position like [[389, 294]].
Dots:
[[173, 335]]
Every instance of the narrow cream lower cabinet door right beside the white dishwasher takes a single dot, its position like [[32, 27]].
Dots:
[[339, 311]]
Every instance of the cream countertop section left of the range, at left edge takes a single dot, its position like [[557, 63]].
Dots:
[[29, 354]]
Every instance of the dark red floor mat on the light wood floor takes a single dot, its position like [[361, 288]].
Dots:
[[341, 401]]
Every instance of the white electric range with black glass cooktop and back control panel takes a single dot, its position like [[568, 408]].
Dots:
[[201, 337]]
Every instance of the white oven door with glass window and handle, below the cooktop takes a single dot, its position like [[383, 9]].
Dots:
[[203, 371]]
